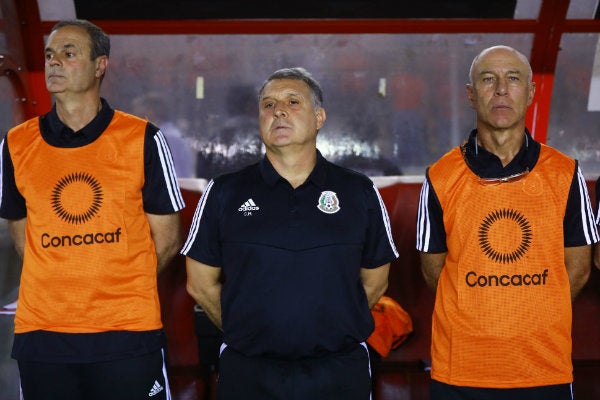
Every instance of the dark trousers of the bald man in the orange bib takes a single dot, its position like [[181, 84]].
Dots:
[[443, 391]]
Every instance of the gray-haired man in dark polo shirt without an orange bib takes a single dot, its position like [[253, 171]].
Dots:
[[287, 256]]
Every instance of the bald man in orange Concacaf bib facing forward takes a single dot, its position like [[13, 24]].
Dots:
[[505, 229]]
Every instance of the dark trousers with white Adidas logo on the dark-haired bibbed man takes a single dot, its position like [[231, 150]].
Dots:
[[136, 378]]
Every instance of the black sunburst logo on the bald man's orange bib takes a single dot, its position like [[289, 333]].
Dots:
[[505, 236]]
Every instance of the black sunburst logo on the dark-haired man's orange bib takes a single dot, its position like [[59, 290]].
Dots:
[[76, 198]]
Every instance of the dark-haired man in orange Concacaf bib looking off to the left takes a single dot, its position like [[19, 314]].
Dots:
[[93, 205]]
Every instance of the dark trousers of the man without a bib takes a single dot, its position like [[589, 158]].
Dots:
[[333, 377]]
